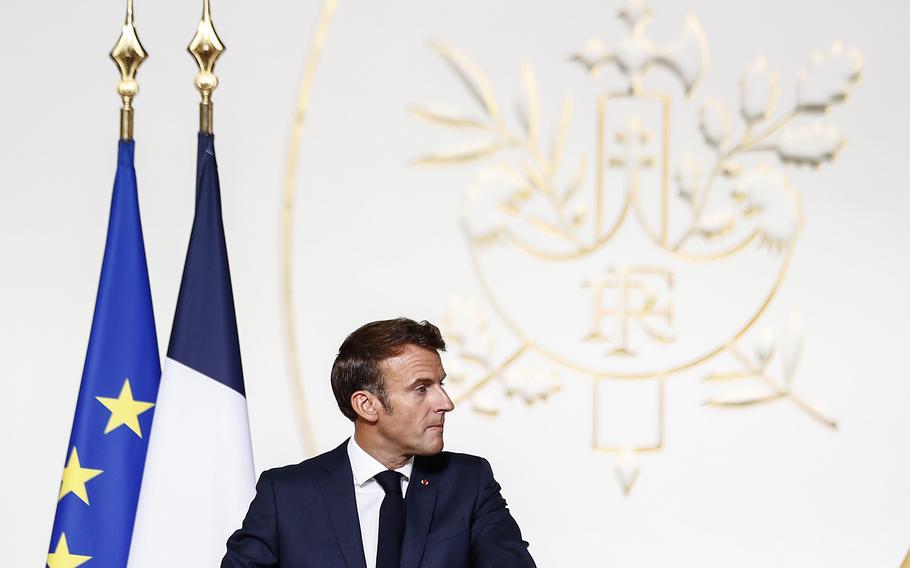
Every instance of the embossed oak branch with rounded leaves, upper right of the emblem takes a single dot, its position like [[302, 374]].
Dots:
[[803, 135]]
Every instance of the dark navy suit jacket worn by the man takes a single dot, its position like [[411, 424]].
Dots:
[[305, 516]]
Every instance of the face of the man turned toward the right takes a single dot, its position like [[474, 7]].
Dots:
[[418, 403]]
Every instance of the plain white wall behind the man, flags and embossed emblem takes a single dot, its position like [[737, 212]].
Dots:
[[376, 238]]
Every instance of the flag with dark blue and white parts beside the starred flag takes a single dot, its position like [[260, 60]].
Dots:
[[199, 477]]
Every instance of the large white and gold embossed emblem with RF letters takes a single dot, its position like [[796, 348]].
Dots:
[[643, 235]]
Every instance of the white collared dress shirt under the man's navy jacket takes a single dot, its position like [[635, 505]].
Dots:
[[369, 495]]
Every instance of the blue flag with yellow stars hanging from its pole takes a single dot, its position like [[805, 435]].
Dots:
[[106, 453]]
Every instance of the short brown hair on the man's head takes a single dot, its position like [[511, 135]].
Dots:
[[357, 365]]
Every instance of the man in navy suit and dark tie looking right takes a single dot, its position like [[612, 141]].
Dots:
[[389, 496]]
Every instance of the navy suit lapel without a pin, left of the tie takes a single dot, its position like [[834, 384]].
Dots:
[[337, 485]]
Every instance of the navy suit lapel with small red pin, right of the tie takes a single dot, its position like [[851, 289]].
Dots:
[[421, 502]]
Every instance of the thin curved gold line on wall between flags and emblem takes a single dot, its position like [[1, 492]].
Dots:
[[295, 378]]
